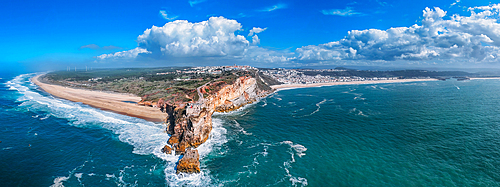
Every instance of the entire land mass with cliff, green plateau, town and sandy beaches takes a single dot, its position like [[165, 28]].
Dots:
[[184, 99]]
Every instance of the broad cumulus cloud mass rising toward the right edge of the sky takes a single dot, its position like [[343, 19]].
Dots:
[[460, 38]]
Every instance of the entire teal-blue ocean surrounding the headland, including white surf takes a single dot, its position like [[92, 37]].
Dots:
[[436, 133]]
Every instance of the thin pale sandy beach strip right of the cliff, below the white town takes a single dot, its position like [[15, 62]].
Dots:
[[287, 86]]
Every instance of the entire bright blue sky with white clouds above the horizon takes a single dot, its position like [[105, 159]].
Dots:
[[54, 35]]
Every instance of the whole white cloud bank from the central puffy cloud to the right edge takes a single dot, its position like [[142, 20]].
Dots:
[[439, 39]]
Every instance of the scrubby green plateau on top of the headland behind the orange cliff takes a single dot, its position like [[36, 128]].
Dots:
[[174, 84]]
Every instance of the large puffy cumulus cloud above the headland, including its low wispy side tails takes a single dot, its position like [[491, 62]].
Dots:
[[214, 38]]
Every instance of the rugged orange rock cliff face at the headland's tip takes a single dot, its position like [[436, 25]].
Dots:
[[190, 126]]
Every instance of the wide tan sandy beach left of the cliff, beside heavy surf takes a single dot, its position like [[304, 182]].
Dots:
[[116, 102]]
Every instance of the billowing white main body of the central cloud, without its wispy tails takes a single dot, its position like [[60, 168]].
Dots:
[[214, 37]]
